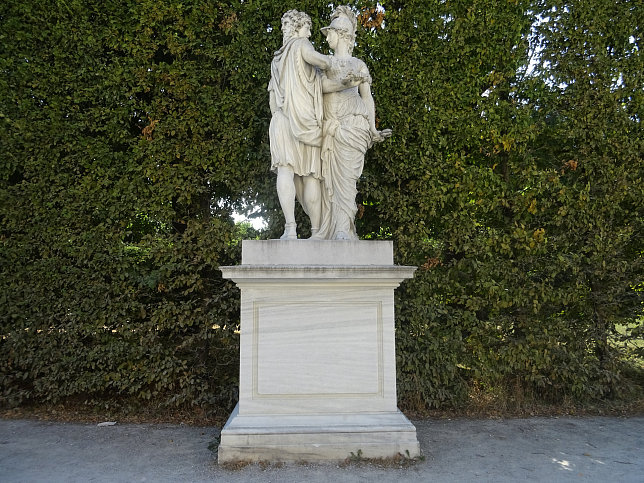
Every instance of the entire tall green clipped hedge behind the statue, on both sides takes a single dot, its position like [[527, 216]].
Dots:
[[131, 131]]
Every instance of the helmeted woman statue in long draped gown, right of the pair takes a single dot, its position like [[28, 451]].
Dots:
[[349, 128]]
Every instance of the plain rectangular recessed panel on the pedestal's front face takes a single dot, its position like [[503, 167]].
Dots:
[[317, 349]]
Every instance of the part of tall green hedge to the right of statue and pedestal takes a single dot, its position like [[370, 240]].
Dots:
[[517, 188]]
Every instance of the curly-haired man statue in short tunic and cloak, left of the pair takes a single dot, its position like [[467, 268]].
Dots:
[[296, 126]]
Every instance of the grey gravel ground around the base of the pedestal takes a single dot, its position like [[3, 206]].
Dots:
[[537, 449]]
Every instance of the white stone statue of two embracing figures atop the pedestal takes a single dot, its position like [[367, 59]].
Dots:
[[322, 125]]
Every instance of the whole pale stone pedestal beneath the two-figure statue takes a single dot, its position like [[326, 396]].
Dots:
[[317, 363]]
